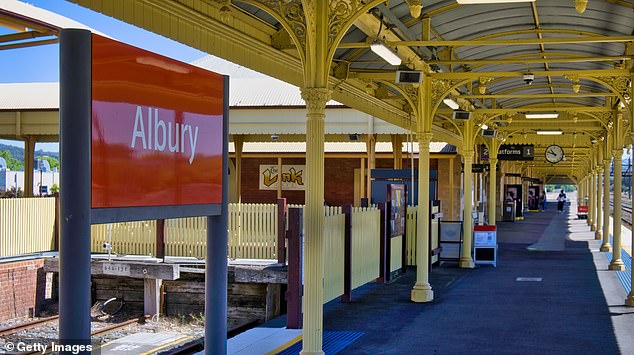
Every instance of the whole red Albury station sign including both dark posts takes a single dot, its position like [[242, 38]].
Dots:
[[142, 137]]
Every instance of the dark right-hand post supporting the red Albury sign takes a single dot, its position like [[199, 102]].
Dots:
[[216, 270]]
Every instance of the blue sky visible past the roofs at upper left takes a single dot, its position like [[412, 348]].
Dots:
[[41, 63]]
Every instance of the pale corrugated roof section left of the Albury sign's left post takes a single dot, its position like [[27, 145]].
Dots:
[[29, 96]]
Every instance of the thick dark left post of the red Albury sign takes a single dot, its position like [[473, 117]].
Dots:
[[74, 249]]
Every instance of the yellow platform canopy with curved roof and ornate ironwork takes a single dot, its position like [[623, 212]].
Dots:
[[579, 54]]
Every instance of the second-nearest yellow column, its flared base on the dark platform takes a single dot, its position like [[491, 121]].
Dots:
[[422, 291]]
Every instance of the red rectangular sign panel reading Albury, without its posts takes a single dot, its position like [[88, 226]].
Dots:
[[157, 129]]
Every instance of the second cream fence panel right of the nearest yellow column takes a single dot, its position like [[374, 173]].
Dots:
[[366, 245]]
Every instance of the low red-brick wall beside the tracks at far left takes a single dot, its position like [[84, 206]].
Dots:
[[23, 289]]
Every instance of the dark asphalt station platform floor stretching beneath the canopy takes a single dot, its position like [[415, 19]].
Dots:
[[551, 292]]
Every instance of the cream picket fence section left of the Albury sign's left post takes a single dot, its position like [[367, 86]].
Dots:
[[27, 225]]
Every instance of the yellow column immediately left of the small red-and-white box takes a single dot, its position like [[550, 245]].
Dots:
[[466, 261]]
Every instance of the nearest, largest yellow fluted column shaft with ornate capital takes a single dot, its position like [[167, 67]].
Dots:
[[316, 99]]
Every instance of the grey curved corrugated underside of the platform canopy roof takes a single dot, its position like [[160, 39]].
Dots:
[[467, 22]]
